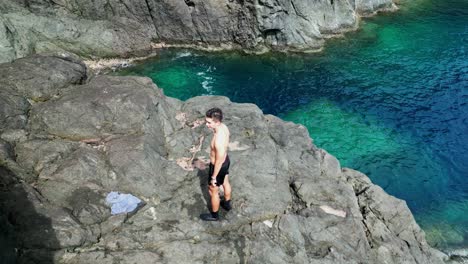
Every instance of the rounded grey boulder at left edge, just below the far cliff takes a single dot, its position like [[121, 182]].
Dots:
[[37, 78]]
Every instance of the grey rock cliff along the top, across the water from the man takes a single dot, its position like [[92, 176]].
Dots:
[[129, 28]]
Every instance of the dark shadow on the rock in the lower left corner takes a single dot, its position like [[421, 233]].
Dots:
[[26, 236]]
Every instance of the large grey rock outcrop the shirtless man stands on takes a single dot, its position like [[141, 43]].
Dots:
[[67, 140]]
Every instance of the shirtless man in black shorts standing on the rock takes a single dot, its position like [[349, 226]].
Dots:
[[219, 166]]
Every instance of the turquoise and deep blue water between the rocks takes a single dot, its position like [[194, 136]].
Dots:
[[389, 100]]
